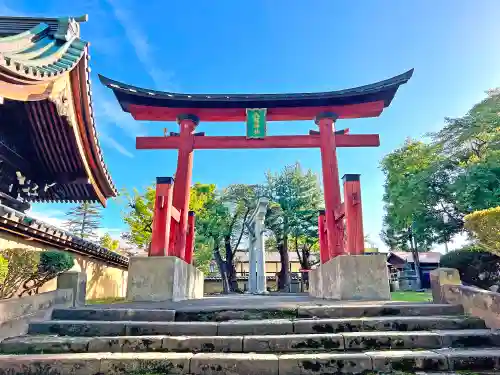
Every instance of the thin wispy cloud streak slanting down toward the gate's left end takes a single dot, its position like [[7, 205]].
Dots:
[[142, 47]]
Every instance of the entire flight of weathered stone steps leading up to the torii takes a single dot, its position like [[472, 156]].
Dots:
[[355, 338]]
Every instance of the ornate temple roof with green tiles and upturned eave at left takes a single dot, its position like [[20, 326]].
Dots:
[[45, 86]]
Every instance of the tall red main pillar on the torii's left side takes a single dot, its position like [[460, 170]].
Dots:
[[183, 175]]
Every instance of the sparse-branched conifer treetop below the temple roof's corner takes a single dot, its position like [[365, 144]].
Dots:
[[84, 220]]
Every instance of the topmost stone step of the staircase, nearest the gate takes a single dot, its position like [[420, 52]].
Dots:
[[222, 314]]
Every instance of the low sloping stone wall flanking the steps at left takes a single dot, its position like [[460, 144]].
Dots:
[[15, 314]]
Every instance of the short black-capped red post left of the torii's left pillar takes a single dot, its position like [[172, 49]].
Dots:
[[161, 217]]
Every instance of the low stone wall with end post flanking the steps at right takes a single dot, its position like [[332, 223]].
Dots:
[[484, 304]]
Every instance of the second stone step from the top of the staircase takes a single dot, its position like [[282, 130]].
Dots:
[[251, 327]]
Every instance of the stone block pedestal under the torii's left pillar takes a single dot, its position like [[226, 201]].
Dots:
[[153, 279]]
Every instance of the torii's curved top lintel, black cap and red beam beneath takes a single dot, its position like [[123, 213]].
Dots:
[[363, 101]]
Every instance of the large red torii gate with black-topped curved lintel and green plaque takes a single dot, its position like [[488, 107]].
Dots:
[[173, 226]]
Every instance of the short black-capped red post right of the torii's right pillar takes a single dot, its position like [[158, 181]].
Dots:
[[355, 243]]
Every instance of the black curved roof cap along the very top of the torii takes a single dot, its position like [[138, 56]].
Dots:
[[383, 90]]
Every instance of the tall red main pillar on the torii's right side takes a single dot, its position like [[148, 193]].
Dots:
[[331, 184]]
